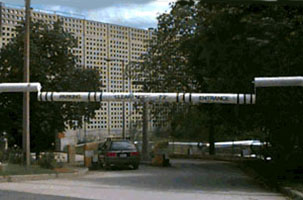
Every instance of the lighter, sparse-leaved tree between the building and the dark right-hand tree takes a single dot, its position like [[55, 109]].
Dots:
[[164, 66]]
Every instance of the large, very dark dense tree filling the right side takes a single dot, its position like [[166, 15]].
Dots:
[[239, 42]]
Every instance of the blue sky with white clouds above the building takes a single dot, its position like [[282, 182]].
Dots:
[[134, 13]]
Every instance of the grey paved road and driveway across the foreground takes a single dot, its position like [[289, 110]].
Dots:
[[185, 180]]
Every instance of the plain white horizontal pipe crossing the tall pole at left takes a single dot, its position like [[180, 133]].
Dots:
[[20, 87]]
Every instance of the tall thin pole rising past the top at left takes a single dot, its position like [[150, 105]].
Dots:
[[26, 97]]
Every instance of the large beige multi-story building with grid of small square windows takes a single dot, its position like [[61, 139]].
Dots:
[[104, 47]]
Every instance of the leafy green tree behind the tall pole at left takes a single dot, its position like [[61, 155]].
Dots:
[[52, 64]]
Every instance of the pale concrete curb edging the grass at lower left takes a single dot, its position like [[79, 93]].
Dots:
[[31, 177]]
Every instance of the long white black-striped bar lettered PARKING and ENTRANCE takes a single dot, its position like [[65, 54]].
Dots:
[[148, 97]]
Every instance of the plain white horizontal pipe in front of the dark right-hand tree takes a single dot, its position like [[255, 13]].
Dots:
[[278, 81]]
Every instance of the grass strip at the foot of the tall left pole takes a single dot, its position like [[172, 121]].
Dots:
[[14, 169]]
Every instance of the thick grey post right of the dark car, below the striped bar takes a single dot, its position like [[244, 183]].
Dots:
[[144, 135]]
